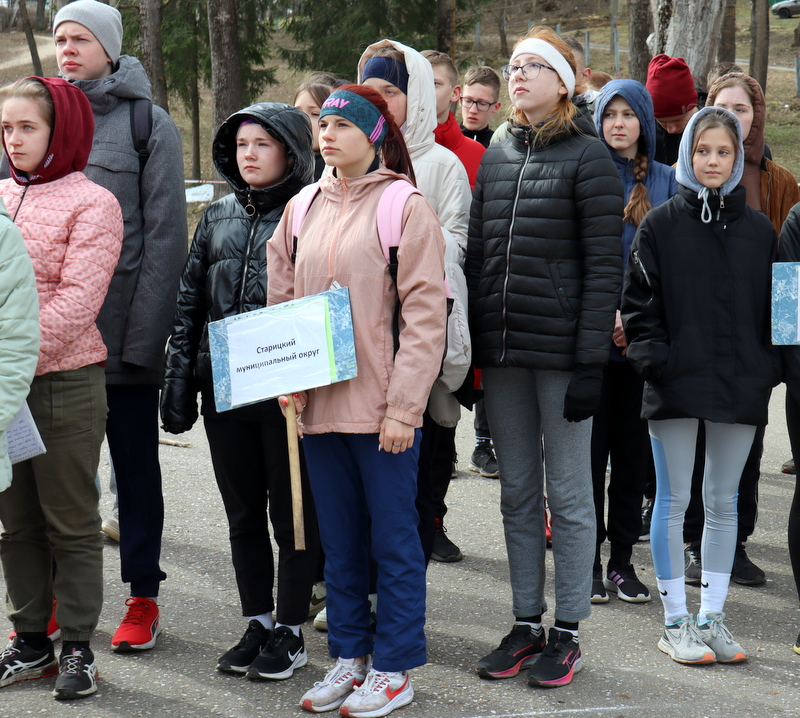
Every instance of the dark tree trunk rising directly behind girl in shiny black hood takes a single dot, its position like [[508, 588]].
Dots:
[[226, 73]]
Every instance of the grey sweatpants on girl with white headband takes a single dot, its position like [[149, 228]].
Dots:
[[525, 406]]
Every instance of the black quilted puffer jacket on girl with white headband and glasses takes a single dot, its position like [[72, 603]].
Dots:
[[544, 254]]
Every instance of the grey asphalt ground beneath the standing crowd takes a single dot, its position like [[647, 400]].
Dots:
[[624, 674]]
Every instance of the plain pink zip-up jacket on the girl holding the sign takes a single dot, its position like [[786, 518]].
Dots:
[[339, 242]]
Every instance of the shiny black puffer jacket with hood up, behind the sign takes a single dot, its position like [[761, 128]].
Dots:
[[226, 272]]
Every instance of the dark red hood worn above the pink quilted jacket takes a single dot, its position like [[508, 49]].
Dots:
[[70, 137]]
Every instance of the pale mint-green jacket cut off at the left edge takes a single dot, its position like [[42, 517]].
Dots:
[[19, 331]]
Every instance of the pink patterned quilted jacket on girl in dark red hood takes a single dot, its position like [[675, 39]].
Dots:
[[73, 231]]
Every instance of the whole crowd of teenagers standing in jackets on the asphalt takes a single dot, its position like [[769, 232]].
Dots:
[[610, 246]]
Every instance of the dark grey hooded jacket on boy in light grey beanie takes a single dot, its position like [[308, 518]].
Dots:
[[136, 317]]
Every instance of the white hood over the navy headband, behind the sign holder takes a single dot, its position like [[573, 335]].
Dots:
[[421, 97]]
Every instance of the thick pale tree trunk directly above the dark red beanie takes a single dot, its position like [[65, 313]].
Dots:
[[694, 32]]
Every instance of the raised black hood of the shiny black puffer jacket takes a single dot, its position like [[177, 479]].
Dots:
[[288, 125]]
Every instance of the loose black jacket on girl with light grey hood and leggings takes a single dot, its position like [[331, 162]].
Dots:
[[696, 310]]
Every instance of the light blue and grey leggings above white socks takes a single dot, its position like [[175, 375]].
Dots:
[[727, 448]]
